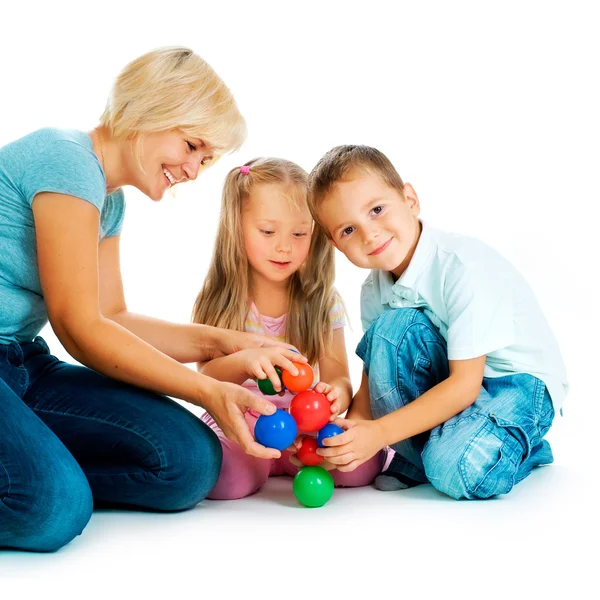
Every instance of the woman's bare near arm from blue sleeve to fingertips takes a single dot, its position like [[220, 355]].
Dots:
[[67, 231]]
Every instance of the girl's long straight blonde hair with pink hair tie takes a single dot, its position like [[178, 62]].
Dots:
[[225, 296]]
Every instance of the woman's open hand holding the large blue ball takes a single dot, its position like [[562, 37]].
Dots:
[[228, 404]]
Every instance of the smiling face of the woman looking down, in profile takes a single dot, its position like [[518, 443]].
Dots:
[[168, 158]]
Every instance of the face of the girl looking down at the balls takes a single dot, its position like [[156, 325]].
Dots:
[[276, 233]]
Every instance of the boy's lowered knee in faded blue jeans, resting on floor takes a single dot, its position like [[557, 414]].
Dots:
[[474, 459]]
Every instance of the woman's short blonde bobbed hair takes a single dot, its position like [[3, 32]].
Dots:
[[173, 88]]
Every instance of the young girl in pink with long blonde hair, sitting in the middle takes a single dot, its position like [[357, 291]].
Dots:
[[271, 274]]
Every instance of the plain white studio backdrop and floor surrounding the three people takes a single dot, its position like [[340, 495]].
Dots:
[[491, 112]]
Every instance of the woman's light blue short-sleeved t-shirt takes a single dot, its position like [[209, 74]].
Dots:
[[48, 160]]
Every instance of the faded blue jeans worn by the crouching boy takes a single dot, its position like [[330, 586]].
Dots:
[[483, 451]]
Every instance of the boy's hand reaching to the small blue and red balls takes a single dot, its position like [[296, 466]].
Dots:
[[360, 441]]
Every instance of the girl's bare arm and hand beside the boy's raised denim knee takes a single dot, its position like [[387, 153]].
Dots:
[[335, 374]]
